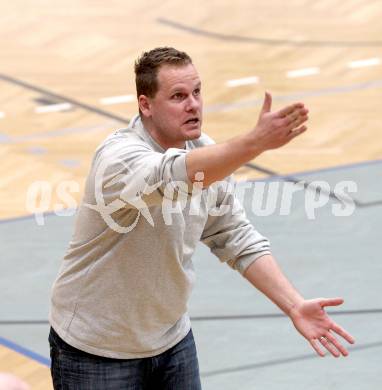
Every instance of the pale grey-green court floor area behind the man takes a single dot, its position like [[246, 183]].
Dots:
[[327, 256]]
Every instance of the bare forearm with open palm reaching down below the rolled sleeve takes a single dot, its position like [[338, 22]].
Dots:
[[308, 316]]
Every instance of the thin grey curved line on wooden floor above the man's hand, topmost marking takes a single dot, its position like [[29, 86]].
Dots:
[[263, 41]]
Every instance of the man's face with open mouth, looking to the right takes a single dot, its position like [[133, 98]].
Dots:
[[175, 111]]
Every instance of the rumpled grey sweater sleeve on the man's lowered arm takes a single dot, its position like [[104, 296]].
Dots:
[[229, 234]]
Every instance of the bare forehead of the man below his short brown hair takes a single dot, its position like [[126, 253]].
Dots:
[[172, 77]]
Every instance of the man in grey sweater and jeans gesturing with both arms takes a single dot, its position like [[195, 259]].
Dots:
[[119, 305]]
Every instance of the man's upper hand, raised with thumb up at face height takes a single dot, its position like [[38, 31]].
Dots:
[[275, 129]]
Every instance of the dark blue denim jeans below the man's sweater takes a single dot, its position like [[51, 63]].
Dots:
[[174, 369]]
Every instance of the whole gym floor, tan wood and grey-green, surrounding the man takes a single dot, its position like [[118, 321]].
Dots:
[[65, 85]]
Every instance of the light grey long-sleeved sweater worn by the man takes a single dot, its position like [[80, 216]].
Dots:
[[124, 283]]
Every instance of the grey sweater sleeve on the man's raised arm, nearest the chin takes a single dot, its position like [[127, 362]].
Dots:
[[135, 174]]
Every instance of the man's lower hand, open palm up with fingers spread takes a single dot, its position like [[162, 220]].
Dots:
[[311, 320]]
